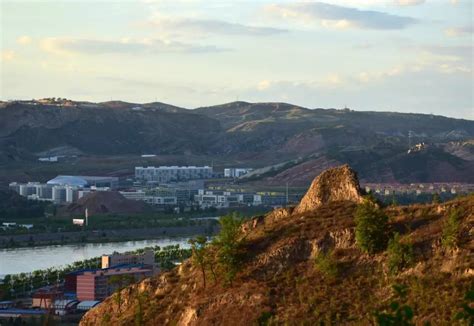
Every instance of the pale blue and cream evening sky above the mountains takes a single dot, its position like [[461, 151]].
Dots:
[[377, 55]]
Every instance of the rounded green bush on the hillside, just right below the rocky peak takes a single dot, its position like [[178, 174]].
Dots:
[[371, 227]]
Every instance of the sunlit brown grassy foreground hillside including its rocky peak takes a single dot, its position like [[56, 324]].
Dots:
[[286, 277]]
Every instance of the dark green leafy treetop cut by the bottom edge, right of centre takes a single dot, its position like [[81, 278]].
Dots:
[[398, 314]]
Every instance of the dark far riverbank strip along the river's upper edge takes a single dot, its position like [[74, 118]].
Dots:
[[104, 236]]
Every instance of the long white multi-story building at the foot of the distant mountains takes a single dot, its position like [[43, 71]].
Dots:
[[165, 174]]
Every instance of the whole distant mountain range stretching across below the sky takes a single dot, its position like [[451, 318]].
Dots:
[[288, 143]]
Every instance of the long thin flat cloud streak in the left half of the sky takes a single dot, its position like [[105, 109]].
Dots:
[[124, 46]]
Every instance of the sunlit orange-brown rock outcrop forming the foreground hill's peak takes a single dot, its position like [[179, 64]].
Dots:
[[337, 184]]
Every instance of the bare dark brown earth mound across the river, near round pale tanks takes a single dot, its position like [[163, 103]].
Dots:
[[103, 202]]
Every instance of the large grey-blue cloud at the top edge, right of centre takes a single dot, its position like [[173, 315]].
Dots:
[[334, 16]]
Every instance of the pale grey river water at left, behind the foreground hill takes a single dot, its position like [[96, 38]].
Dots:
[[25, 260]]
